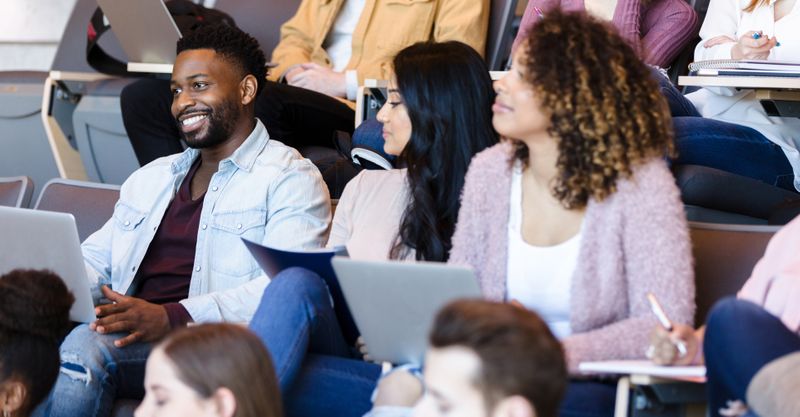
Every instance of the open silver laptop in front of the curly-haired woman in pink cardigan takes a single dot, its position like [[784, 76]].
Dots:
[[394, 303]]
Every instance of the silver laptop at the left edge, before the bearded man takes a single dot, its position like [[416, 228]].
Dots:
[[34, 239]]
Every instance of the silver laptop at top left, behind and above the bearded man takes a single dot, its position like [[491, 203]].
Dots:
[[145, 29]]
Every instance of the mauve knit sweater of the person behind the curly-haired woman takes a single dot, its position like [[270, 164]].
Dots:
[[658, 31]]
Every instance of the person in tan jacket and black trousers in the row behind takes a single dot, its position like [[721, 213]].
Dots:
[[326, 50]]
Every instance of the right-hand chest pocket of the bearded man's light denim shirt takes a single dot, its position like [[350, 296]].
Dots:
[[229, 256]]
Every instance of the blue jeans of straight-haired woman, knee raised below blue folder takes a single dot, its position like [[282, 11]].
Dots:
[[317, 371]]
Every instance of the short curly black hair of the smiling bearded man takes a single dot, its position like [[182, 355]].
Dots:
[[231, 43]]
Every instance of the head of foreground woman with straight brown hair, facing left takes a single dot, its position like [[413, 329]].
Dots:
[[219, 370]]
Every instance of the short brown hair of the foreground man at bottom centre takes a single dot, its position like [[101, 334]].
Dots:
[[518, 353]]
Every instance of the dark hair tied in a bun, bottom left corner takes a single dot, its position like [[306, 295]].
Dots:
[[34, 318]]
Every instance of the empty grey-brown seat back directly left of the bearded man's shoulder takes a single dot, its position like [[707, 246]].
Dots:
[[91, 204]]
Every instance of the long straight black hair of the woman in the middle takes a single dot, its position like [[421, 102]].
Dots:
[[448, 95]]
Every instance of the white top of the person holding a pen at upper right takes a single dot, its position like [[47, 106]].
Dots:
[[726, 17]]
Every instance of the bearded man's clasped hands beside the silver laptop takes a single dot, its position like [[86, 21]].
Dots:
[[144, 321]]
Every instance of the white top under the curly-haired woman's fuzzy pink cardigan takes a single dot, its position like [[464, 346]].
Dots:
[[539, 277]]
